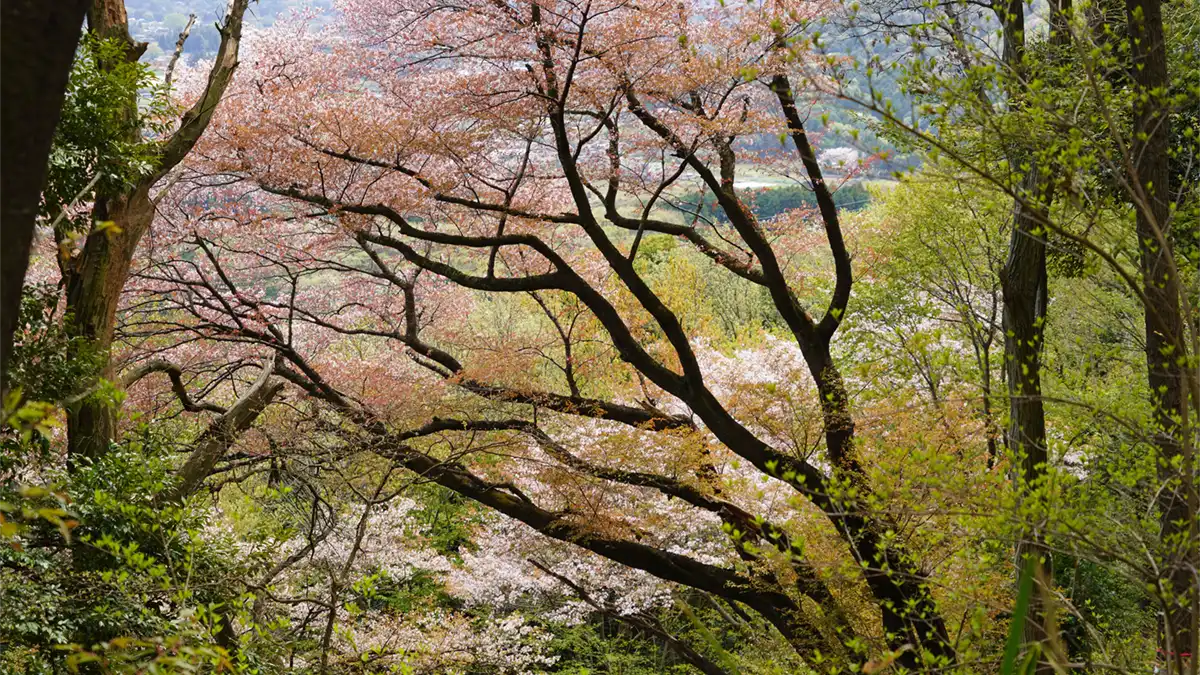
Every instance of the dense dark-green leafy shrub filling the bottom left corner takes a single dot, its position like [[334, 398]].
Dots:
[[139, 587]]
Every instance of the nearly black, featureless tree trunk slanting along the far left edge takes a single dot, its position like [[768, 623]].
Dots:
[[38, 44]]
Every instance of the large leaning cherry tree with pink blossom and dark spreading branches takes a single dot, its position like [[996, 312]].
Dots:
[[385, 206]]
